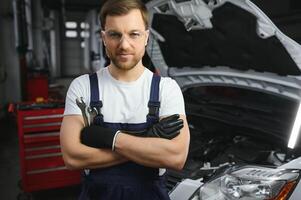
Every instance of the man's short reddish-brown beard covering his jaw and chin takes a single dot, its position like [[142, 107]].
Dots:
[[124, 64]]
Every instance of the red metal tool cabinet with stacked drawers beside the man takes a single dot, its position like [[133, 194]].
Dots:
[[42, 166]]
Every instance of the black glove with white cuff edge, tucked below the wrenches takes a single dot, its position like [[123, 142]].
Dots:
[[97, 136]]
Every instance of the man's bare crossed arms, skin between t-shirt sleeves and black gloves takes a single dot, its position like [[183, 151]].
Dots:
[[153, 152]]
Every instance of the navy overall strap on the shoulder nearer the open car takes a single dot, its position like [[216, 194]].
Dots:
[[154, 103]]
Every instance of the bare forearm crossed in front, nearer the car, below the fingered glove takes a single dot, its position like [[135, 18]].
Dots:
[[155, 152]]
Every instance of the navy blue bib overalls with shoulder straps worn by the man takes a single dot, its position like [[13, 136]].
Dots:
[[127, 181]]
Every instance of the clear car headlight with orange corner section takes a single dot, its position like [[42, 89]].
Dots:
[[251, 183]]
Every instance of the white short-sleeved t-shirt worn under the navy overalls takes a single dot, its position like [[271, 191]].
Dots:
[[125, 102]]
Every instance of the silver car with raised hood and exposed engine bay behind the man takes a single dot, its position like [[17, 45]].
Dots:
[[240, 77]]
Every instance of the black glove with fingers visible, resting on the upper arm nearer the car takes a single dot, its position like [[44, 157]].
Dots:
[[167, 128]]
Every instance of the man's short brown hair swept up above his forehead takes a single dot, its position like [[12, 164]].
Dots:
[[121, 7]]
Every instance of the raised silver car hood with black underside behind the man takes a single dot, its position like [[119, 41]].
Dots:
[[223, 42]]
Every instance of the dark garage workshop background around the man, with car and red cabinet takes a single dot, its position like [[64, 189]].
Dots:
[[238, 63]]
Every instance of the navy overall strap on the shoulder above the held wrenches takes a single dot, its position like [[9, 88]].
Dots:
[[95, 102]]
